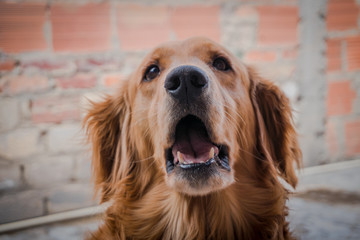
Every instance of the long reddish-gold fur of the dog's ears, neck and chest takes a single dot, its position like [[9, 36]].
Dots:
[[144, 207]]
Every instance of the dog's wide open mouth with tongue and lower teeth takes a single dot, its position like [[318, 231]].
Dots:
[[193, 149]]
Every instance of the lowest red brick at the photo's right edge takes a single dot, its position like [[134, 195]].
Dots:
[[352, 134]]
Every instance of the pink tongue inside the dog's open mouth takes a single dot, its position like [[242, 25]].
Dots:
[[194, 145]]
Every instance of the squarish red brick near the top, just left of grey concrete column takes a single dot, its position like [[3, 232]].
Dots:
[[278, 25]]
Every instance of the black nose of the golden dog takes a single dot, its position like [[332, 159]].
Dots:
[[186, 83]]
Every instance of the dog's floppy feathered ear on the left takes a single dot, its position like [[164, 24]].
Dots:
[[106, 125]]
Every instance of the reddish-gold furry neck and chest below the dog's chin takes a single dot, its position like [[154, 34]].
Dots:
[[228, 214]]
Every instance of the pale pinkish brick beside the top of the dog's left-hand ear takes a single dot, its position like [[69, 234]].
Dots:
[[55, 109]]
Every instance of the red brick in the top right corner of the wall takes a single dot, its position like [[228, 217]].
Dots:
[[342, 15]]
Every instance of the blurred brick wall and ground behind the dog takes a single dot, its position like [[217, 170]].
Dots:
[[54, 55]]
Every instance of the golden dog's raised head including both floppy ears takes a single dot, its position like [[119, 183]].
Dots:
[[195, 116]]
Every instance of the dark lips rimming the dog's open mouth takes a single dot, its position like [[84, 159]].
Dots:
[[221, 160]]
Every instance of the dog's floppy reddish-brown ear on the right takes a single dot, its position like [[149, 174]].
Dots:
[[277, 137]]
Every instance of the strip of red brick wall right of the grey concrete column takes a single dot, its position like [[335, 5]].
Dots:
[[343, 79]]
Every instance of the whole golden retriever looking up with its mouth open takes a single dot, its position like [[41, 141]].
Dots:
[[192, 146]]
